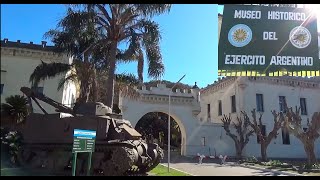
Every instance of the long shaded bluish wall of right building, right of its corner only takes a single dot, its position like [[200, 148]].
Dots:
[[271, 93]]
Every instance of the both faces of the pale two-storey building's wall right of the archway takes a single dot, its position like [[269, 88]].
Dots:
[[246, 100]]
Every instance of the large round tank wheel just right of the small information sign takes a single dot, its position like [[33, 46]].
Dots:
[[117, 161]]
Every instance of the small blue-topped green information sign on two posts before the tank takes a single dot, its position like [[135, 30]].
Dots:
[[83, 141]]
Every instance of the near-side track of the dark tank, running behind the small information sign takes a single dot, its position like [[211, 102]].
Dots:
[[107, 160]]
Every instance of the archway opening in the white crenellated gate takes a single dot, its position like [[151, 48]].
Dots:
[[154, 127]]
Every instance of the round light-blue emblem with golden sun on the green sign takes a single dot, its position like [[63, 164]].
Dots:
[[240, 35]]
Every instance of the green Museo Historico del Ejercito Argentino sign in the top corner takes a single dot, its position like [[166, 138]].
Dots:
[[272, 41]]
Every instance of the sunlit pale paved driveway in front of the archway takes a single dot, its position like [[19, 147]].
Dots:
[[213, 169]]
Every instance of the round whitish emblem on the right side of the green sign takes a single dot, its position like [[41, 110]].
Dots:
[[300, 37]]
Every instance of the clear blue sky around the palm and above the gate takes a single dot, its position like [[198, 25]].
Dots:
[[189, 37]]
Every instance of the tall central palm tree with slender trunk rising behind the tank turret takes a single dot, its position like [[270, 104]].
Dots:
[[120, 23]]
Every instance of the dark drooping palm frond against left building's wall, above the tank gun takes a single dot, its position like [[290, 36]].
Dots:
[[47, 70]]
